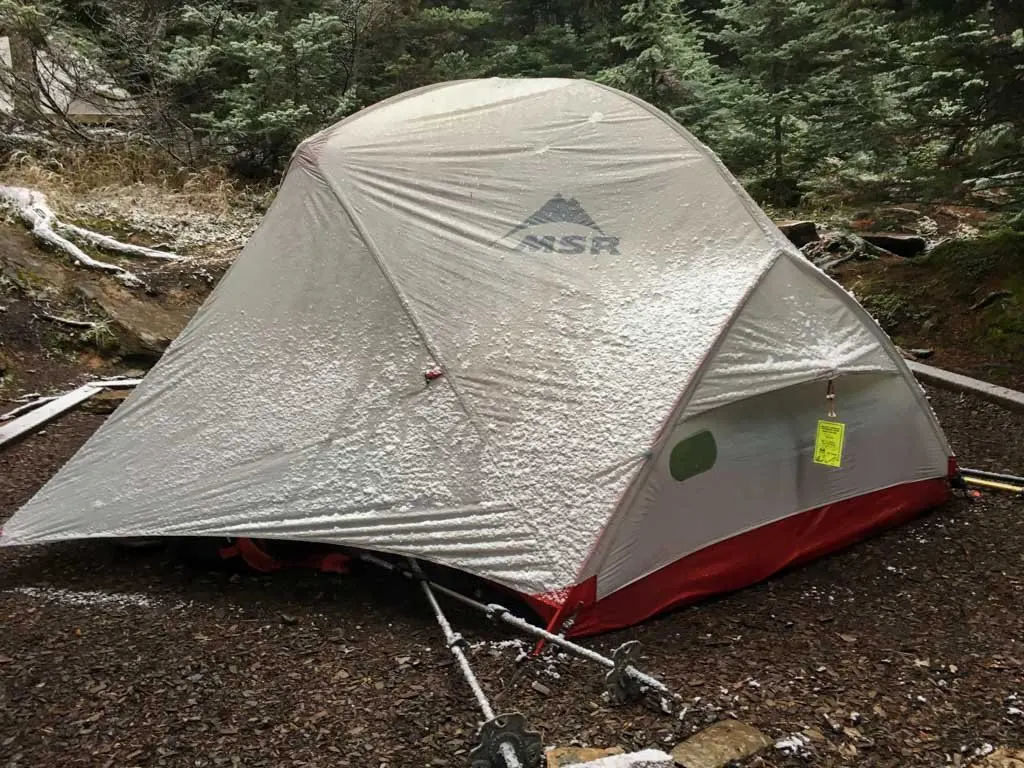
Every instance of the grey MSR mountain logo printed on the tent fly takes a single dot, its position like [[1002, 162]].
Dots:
[[562, 226]]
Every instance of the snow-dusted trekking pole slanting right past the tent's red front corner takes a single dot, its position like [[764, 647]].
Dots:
[[623, 682]]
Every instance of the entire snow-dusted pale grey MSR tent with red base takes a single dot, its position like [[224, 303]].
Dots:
[[533, 330]]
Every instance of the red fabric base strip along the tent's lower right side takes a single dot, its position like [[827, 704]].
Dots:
[[746, 560]]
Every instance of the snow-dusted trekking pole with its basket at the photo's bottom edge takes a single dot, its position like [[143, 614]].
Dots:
[[504, 741]]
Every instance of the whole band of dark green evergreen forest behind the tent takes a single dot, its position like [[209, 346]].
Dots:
[[807, 101]]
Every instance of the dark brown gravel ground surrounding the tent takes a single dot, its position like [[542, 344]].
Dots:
[[904, 651]]
